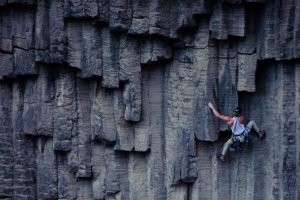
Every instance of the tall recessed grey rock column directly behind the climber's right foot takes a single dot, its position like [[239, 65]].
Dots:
[[268, 81]]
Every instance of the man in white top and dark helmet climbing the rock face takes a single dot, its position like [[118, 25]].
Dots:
[[236, 123]]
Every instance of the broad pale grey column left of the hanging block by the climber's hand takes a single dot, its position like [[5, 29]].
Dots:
[[178, 120]]
